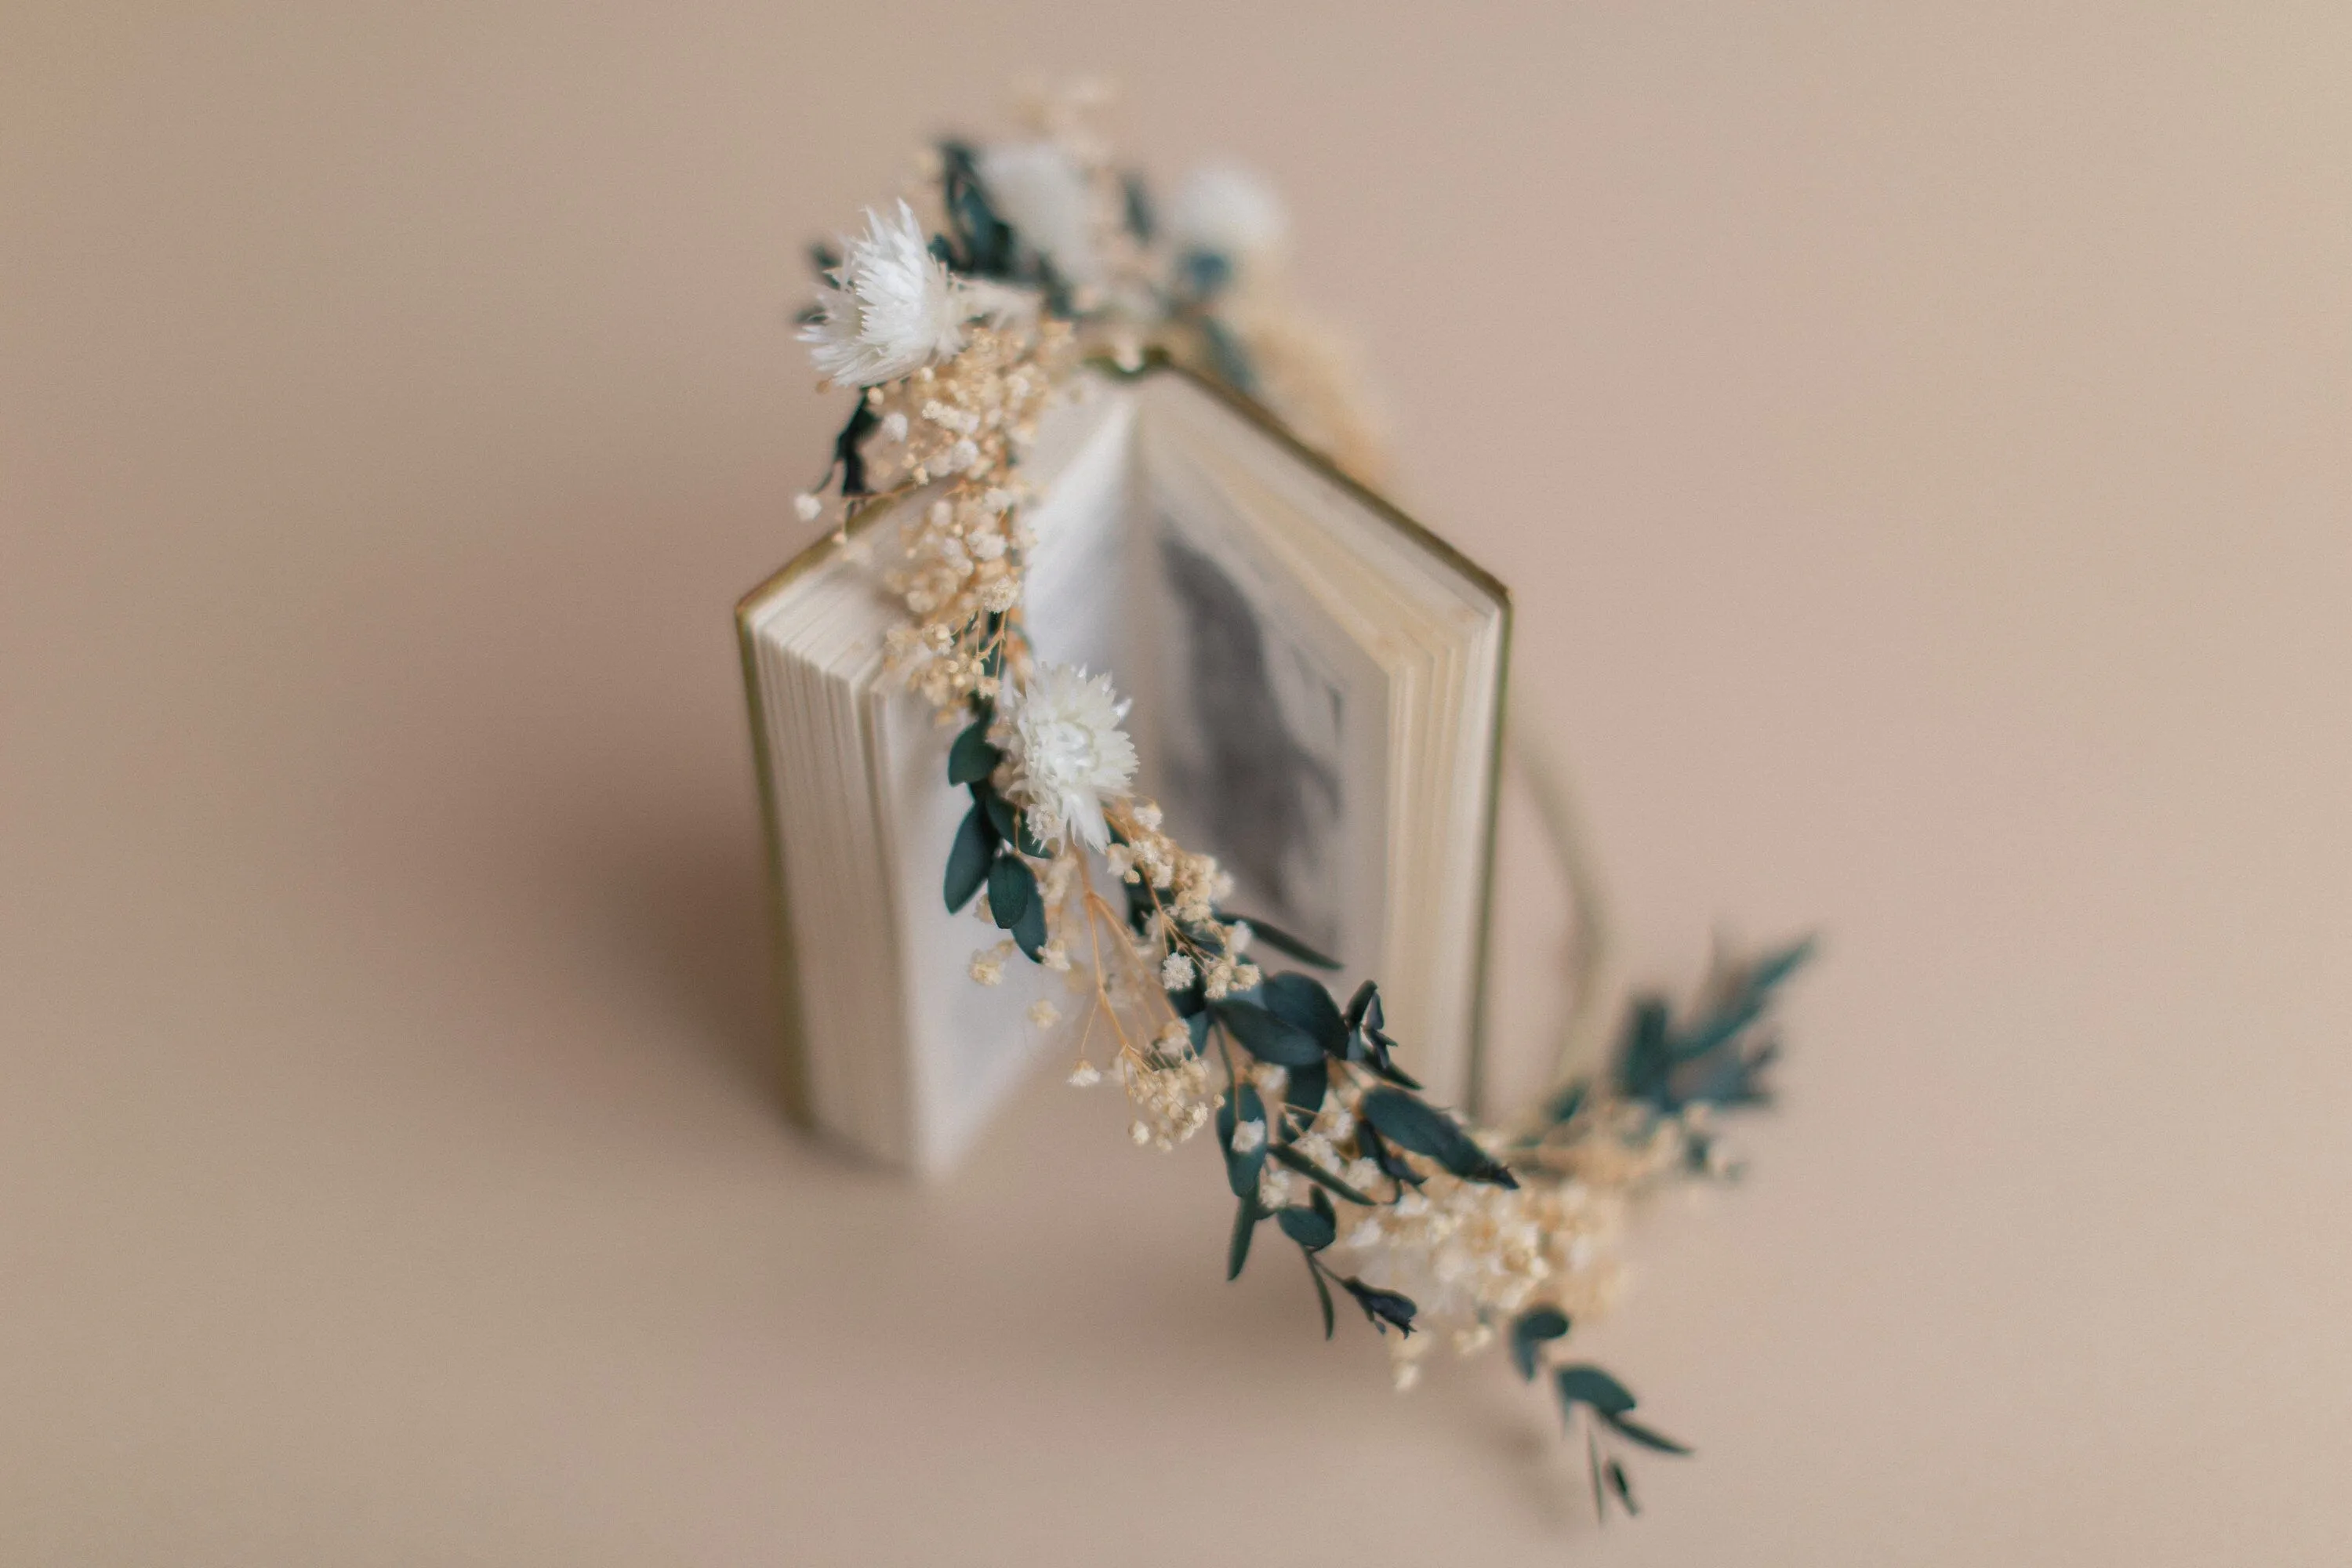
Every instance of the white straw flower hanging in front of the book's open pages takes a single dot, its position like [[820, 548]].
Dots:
[[1067, 751]]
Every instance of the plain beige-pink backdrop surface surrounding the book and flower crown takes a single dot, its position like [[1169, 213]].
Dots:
[[1918, 438]]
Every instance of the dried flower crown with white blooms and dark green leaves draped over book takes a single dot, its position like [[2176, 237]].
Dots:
[[1048, 257]]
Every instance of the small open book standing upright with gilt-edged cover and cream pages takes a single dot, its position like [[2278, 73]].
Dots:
[[1316, 697]]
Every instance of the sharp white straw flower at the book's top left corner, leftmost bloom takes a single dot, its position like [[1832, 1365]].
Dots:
[[895, 311]]
